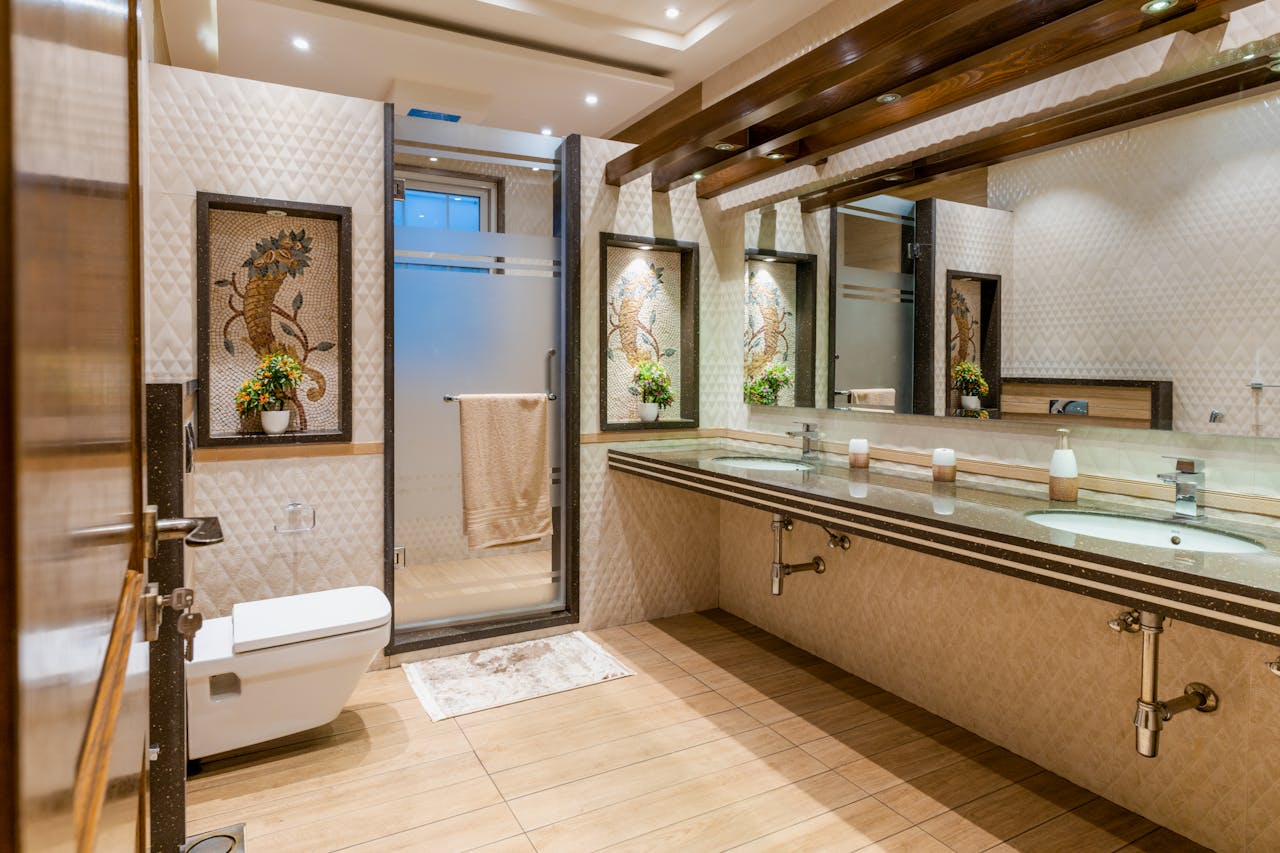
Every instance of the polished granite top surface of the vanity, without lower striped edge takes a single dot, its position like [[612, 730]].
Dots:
[[998, 509]]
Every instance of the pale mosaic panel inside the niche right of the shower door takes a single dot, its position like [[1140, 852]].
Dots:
[[642, 323]]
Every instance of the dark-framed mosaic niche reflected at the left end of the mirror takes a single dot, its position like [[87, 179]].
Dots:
[[780, 325]]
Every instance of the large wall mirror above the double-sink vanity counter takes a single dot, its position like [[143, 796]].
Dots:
[[1124, 281]]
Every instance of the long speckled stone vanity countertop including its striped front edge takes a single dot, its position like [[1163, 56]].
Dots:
[[985, 522]]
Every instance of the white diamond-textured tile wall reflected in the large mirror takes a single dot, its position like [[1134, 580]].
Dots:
[[1118, 276]]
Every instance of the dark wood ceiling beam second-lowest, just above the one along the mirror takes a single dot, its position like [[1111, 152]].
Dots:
[[1105, 29]]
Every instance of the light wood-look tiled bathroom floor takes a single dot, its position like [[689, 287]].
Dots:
[[728, 738]]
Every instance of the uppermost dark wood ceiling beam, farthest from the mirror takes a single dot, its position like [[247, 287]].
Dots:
[[880, 43]]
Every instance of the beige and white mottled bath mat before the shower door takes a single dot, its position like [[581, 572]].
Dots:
[[450, 687]]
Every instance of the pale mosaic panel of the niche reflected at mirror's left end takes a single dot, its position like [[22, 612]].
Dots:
[[767, 337]]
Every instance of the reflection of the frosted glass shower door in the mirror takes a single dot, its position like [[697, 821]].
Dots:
[[875, 329]]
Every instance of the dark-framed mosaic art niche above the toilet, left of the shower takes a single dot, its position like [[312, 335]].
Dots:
[[273, 277]]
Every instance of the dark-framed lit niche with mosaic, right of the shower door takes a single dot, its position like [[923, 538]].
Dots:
[[648, 314]]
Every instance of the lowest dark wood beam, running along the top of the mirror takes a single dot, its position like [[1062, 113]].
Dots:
[[1069, 126]]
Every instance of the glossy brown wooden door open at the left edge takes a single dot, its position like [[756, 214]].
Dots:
[[74, 670]]
